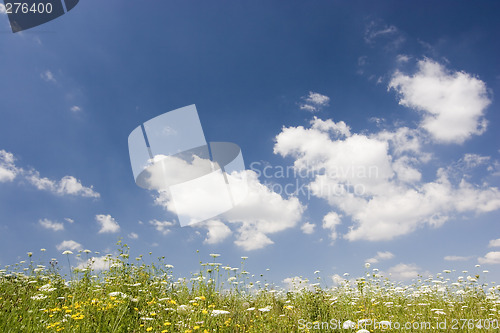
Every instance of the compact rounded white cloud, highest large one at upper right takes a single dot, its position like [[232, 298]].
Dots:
[[452, 103]]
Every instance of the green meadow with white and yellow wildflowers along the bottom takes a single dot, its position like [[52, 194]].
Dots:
[[130, 295]]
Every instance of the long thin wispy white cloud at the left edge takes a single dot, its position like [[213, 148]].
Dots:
[[67, 185]]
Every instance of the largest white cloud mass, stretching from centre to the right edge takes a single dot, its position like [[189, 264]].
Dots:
[[376, 180]]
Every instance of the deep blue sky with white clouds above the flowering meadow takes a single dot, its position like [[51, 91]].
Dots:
[[406, 88]]
